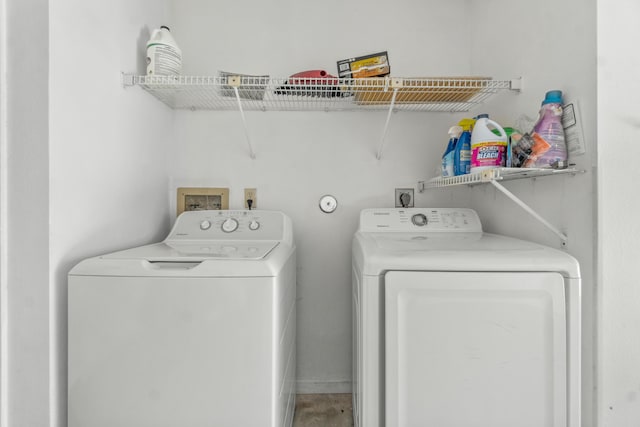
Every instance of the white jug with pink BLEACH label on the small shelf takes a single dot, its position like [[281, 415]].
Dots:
[[488, 149]]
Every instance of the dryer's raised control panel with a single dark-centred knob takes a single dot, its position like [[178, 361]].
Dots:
[[420, 219]]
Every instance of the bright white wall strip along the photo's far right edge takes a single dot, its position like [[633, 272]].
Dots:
[[619, 233]]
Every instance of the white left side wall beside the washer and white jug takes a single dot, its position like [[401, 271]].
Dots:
[[107, 152]]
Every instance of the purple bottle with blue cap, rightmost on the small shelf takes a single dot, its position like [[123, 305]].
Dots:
[[550, 148]]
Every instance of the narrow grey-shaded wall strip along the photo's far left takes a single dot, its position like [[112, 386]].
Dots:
[[27, 212]]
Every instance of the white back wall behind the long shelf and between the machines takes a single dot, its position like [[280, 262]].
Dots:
[[302, 156]]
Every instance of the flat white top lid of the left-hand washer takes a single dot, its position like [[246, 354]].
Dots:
[[189, 251]]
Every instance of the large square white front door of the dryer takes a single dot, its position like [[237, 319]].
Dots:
[[475, 349]]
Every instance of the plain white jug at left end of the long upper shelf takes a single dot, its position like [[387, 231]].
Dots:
[[164, 57]]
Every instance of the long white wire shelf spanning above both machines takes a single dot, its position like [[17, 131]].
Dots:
[[264, 93]]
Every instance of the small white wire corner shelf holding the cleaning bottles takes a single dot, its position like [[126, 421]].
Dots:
[[496, 174]]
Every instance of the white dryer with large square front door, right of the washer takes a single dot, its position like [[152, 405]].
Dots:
[[454, 327]]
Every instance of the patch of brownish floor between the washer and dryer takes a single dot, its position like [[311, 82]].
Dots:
[[323, 410]]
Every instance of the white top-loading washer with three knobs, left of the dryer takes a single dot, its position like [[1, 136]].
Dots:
[[194, 331]]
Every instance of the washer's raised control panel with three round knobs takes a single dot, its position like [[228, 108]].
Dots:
[[229, 225]]
